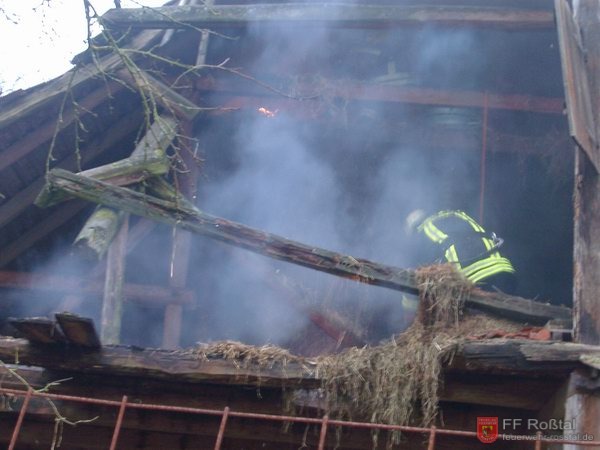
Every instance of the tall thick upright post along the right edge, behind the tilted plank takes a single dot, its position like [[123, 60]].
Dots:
[[583, 405]]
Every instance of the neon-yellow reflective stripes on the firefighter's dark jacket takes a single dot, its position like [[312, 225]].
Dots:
[[487, 263]]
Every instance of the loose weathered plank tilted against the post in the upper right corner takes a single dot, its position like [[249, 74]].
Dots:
[[577, 88]]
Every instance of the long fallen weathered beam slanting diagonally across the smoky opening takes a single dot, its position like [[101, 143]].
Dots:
[[287, 250]]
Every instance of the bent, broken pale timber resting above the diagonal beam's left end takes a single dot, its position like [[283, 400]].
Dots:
[[148, 159]]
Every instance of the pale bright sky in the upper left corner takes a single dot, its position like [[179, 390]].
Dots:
[[40, 37]]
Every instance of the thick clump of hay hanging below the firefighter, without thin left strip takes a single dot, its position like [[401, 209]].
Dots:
[[397, 382]]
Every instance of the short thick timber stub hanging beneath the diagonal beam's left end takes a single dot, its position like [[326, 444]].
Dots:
[[98, 232]]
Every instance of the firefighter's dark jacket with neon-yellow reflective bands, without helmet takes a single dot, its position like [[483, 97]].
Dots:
[[466, 245]]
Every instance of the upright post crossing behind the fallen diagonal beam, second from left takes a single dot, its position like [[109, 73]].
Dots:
[[180, 254]]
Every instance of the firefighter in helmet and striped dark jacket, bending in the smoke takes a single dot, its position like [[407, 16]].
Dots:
[[460, 240]]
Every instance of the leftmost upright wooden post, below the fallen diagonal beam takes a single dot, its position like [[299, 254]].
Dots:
[[112, 304]]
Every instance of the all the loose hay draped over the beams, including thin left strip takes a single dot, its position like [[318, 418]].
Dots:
[[396, 382]]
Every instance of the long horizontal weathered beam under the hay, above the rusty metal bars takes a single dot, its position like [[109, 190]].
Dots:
[[494, 355]]
